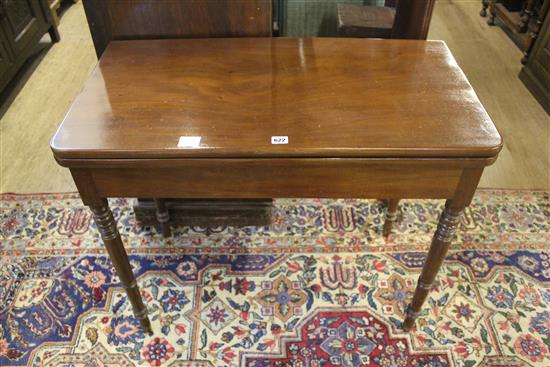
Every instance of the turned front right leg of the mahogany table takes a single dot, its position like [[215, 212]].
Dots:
[[442, 238]]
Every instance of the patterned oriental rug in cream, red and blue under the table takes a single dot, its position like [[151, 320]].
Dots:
[[318, 287]]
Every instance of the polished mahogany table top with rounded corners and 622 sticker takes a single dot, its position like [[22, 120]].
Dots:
[[332, 97]]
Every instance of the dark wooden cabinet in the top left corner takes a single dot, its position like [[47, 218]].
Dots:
[[22, 24]]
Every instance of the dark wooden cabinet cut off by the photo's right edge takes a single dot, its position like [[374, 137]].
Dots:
[[535, 74]]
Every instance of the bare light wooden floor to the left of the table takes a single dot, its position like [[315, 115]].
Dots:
[[26, 162]]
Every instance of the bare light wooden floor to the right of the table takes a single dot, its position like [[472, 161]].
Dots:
[[491, 62]]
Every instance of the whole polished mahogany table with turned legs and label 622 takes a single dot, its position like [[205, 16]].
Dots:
[[252, 118]]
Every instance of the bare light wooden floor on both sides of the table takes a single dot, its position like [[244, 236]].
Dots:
[[489, 59]]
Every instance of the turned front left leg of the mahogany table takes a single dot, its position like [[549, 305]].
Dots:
[[111, 238]]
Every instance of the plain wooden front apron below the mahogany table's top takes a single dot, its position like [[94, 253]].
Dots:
[[278, 178]]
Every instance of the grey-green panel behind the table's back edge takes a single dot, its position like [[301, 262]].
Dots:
[[310, 18]]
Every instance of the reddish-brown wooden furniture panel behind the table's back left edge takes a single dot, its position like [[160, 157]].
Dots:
[[153, 19]]
